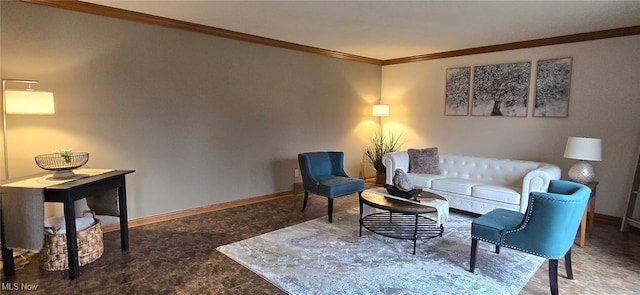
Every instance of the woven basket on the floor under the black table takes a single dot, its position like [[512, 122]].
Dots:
[[53, 255]]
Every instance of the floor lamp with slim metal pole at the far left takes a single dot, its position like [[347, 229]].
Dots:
[[23, 102]]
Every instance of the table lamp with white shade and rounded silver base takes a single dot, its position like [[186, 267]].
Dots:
[[583, 149]]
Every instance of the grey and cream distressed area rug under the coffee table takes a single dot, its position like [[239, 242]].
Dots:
[[317, 257]]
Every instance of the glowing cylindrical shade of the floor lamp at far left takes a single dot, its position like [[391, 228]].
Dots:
[[29, 102]]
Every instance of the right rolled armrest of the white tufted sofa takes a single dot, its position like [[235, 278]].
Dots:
[[537, 180]]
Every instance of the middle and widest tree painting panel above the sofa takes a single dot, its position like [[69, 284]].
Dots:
[[501, 90]]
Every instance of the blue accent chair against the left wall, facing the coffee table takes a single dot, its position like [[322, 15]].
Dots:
[[323, 174]]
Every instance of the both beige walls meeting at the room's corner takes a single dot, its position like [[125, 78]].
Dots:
[[206, 120]]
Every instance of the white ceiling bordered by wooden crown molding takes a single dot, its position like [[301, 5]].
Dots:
[[395, 29]]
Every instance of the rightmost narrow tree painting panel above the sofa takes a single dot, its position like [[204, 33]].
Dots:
[[552, 88]]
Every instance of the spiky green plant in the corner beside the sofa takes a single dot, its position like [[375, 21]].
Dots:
[[382, 144]]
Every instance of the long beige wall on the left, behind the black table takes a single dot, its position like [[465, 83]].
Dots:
[[203, 120]]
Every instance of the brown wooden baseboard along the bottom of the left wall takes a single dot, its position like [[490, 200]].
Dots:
[[194, 211]]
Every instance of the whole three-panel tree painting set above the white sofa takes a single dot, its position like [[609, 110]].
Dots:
[[503, 90]]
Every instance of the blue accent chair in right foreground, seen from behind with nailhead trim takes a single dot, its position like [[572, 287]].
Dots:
[[547, 228]]
